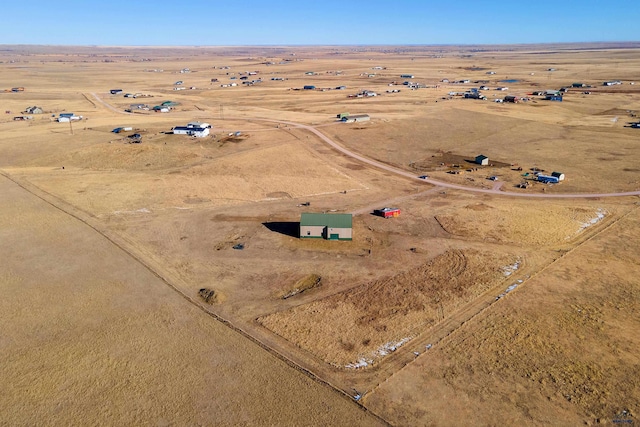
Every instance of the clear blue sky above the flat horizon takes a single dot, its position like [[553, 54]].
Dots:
[[316, 22]]
